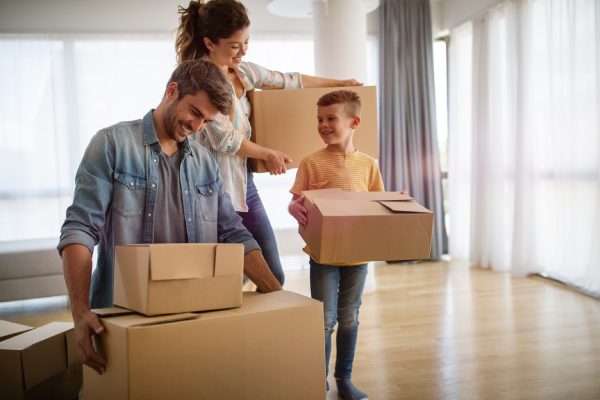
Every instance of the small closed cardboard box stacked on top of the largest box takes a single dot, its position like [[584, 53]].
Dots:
[[158, 279]]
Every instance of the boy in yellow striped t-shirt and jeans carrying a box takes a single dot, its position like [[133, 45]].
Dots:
[[340, 286]]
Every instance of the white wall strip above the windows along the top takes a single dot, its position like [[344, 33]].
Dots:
[[127, 16]]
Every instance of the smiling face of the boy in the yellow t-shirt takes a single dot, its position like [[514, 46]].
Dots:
[[336, 126]]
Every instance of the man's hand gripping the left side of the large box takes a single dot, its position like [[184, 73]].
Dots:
[[87, 324]]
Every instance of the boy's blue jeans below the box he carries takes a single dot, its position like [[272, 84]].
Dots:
[[340, 289]]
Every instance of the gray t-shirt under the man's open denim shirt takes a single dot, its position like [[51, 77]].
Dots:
[[169, 221]]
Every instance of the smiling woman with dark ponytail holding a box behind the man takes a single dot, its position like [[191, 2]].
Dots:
[[219, 31]]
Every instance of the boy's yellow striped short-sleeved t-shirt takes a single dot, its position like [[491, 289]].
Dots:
[[357, 172]]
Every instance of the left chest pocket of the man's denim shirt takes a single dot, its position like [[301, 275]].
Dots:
[[129, 194]]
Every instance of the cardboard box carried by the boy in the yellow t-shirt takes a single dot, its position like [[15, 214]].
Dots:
[[347, 227]]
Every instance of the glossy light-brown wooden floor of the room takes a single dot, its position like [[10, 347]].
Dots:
[[445, 331]]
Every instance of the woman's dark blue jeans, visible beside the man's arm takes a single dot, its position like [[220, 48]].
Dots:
[[257, 222]]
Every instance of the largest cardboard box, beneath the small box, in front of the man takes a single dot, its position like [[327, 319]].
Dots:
[[270, 348]]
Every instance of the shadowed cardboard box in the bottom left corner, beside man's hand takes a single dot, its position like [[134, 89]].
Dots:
[[41, 364]]
